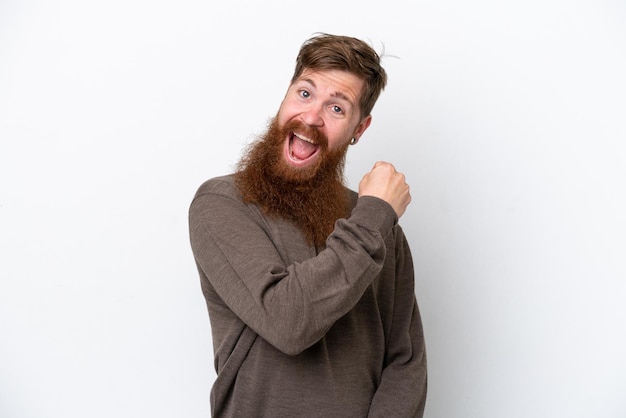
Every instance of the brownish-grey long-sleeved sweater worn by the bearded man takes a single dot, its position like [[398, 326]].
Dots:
[[306, 332]]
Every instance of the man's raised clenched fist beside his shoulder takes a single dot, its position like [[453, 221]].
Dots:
[[387, 184]]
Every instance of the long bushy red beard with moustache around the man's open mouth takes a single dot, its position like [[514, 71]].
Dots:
[[313, 198]]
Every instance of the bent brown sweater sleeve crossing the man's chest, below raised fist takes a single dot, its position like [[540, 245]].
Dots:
[[291, 306]]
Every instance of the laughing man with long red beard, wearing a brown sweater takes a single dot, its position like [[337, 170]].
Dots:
[[309, 286]]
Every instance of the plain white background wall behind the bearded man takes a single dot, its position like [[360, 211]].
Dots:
[[508, 119]]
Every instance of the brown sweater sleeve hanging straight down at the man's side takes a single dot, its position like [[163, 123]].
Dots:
[[402, 390]]
